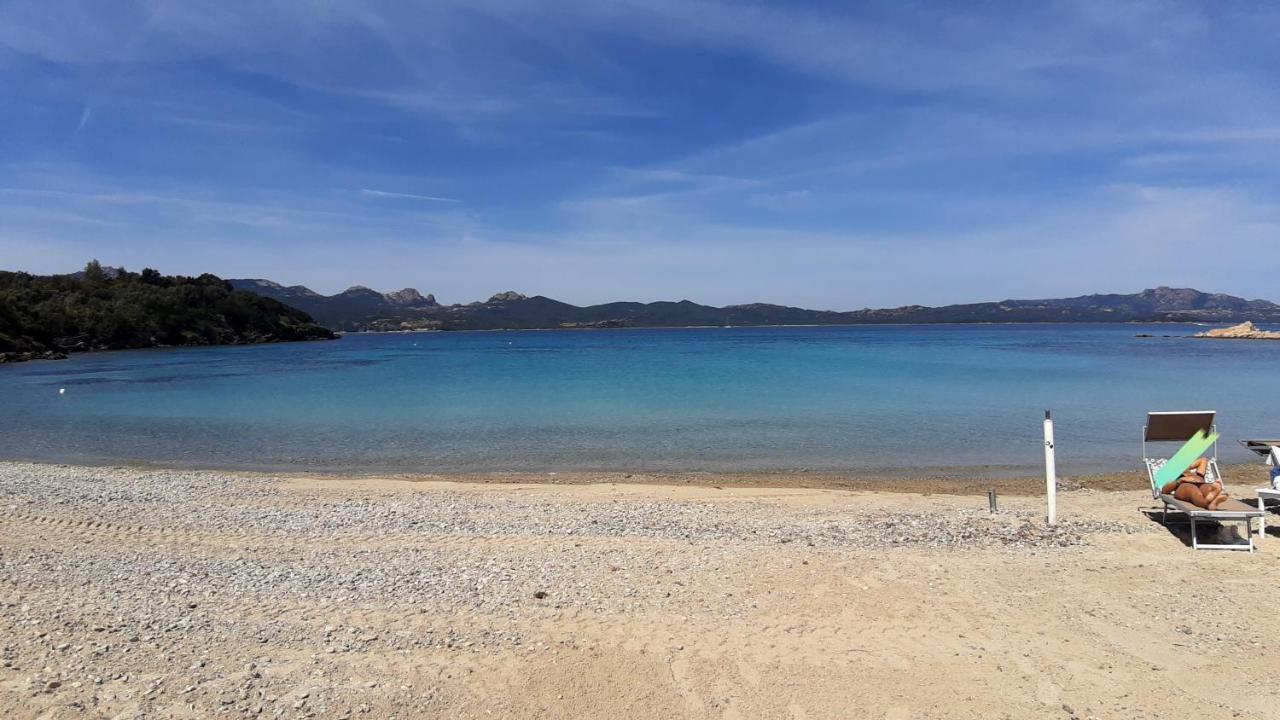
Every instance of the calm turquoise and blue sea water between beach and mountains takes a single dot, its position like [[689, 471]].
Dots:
[[886, 399]]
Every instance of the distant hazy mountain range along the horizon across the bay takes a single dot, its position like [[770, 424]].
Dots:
[[364, 309]]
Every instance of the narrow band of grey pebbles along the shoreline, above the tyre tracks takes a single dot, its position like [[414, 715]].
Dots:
[[213, 503]]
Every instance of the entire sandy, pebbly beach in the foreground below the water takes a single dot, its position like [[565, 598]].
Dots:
[[167, 594]]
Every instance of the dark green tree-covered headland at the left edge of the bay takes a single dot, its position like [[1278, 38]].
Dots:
[[115, 309]]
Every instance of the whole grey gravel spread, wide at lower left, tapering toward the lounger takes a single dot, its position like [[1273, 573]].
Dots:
[[122, 589]]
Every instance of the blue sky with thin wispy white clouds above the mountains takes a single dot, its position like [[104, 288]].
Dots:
[[825, 154]]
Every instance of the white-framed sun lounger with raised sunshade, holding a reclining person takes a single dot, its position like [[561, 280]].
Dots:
[[1176, 430]]
